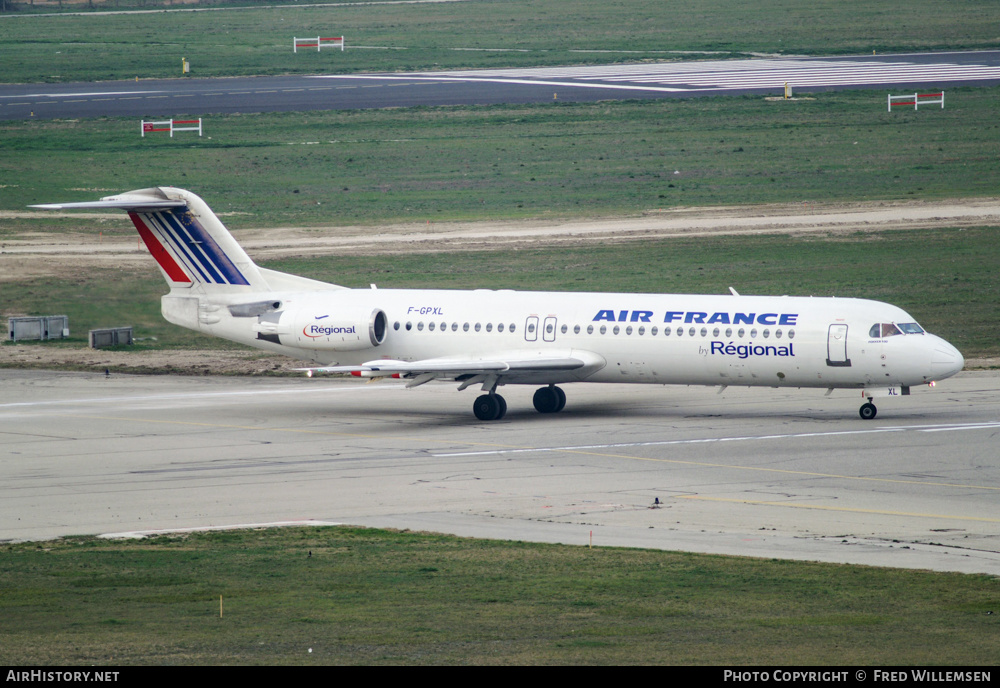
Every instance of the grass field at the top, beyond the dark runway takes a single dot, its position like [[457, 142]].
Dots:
[[476, 33]]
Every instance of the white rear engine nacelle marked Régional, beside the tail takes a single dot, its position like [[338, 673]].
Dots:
[[343, 330]]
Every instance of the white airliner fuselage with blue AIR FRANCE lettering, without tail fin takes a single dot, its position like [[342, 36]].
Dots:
[[641, 338]]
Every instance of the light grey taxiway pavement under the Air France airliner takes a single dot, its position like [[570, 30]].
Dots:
[[765, 472]]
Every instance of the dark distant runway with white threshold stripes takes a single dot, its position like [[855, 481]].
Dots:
[[194, 96]]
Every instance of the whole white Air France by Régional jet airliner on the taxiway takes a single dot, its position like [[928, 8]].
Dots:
[[493, 338]]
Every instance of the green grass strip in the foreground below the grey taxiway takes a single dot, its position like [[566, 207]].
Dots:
[[339, 595]]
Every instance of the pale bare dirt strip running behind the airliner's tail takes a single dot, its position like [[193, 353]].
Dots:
[[70, 254]]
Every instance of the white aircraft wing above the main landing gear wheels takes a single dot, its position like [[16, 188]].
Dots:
[[515, 367]]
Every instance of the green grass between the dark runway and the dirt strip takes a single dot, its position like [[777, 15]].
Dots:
[[510, 162]]
